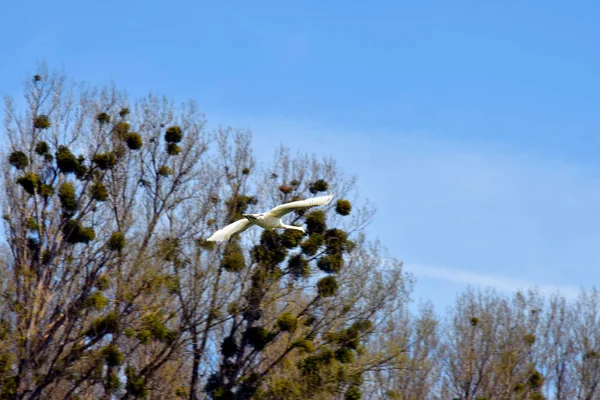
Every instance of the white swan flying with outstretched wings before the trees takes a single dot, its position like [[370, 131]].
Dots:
[[270, 219]]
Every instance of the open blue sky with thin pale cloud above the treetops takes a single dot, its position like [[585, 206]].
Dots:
[[473, 126]]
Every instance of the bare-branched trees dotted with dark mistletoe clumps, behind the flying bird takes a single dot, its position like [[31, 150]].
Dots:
[[111, 291]]
